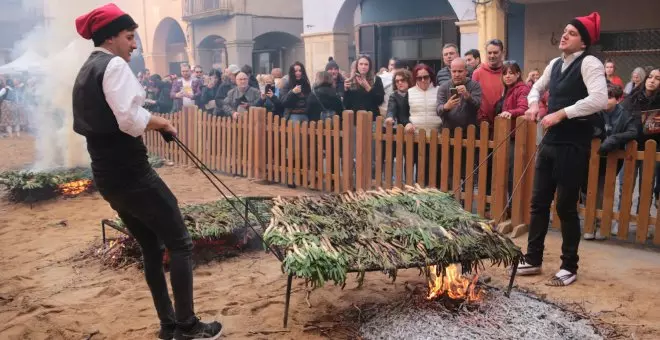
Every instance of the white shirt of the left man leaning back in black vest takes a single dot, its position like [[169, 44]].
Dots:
[[125, 96]]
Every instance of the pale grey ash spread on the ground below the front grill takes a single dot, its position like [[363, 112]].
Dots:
[[498, 317]]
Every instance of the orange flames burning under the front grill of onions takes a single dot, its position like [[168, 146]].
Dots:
[[454, 285]]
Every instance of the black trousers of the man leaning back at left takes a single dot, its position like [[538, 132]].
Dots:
[[151, 213]]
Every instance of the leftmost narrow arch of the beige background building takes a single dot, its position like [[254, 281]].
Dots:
[[169, 46]]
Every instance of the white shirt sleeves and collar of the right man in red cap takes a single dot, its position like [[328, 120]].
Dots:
[[593, 75]]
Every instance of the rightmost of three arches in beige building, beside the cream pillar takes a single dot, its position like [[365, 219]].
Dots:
[[275, 49]]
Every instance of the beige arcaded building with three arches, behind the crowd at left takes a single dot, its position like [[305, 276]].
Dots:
[[261, 33]]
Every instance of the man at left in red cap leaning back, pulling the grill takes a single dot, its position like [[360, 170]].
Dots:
[[107, 110]]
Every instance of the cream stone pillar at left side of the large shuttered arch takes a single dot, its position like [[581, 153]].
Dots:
[[320, 46]]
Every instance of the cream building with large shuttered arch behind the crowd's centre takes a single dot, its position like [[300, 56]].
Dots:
[[411, 30]]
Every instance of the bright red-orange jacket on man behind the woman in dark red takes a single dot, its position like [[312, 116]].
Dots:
[[492, 88]]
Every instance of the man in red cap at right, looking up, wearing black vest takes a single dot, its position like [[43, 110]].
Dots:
[[578, 89]]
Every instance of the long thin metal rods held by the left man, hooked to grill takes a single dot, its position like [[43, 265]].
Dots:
[[208, 173]]
